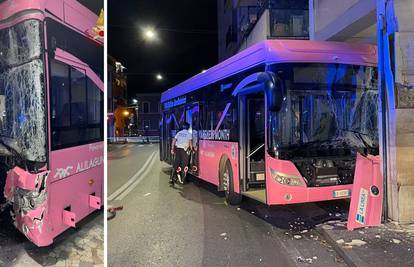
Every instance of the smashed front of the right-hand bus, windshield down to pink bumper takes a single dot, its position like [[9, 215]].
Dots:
[[328, 116]]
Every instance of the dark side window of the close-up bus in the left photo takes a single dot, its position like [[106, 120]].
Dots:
[[77, 108]]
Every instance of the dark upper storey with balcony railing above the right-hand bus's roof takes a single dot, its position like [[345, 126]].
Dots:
[[243, 23]]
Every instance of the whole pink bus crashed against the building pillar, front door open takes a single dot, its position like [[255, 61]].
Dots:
[[281, 122]]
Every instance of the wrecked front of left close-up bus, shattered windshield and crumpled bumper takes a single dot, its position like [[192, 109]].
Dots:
[[23, 155]]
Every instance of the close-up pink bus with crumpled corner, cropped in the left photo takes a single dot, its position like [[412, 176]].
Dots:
[[51, 106]]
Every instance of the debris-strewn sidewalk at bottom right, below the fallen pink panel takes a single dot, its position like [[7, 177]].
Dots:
[[388, 245]]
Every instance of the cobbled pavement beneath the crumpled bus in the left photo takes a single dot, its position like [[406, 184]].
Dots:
[[83, 246]]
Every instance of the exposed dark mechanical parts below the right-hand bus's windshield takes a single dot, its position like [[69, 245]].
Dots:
[[327, 172]]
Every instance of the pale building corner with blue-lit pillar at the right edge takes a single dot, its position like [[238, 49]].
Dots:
[[362, 21]]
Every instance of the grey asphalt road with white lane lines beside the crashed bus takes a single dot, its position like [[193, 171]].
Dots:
[[192, 225]]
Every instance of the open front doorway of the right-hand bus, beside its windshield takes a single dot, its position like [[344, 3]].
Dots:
[[252, 138]]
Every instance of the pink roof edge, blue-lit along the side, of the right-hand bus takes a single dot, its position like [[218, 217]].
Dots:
[[278, 51]]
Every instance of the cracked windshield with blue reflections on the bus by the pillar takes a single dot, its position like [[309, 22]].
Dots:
[[325, 107]]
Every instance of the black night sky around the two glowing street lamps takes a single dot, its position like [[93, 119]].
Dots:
[[187, 33]]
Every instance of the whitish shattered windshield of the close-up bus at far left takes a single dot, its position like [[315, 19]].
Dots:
[[22, 100]]
